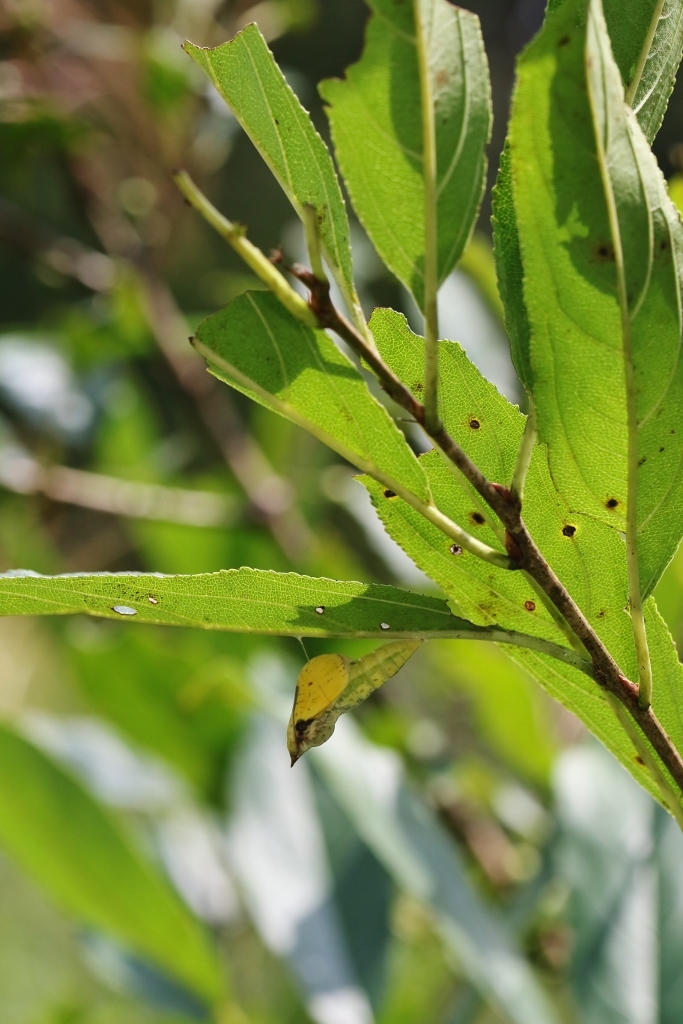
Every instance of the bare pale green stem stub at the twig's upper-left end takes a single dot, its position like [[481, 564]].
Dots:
[[235, 235]]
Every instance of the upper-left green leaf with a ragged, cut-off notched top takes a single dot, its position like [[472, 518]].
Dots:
[[246, 75]]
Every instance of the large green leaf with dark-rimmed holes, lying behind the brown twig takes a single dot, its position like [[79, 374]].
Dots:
[[489, 429]]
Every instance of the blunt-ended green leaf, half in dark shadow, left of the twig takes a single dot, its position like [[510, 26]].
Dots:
[[260, 349]]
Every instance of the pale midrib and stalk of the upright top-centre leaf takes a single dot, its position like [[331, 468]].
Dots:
[[432, 228]]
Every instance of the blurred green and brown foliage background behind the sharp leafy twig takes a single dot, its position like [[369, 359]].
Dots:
[[461, 848]]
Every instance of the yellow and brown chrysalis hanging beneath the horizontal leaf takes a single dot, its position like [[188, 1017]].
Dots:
[[332, 685]]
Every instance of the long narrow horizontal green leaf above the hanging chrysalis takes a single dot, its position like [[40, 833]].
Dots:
[[238, 601]]
